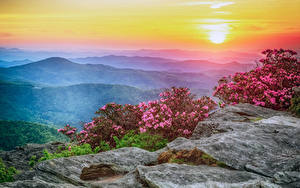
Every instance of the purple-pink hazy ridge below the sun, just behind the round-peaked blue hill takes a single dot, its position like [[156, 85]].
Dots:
[[161, 64]]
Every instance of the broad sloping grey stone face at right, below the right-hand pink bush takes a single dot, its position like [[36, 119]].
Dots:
[[261, 148]]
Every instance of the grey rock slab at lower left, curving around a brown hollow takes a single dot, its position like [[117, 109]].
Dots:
[[69, 169]]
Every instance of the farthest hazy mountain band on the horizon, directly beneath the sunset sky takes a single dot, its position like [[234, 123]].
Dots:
[[225, 56]]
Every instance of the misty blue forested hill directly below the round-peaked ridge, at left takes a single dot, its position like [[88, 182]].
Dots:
[[61, 105]]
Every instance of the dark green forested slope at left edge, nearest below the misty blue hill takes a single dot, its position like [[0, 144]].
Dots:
[[18, 133]]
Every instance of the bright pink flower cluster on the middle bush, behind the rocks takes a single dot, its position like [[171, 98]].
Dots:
[[176, 114]]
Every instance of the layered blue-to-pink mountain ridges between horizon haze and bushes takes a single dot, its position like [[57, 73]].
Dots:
[[58, 91]]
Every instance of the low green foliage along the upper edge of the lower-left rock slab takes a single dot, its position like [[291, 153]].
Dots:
[[70, 150]]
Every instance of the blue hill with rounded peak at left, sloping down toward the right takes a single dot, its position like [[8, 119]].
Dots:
[[59, 72]]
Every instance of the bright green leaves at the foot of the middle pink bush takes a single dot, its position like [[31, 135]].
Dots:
[[142, 140]]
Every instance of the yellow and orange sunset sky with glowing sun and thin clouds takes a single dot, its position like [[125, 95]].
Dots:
[[135, 24]]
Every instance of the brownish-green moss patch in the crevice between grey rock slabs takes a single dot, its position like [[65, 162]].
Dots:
[[190, 157]]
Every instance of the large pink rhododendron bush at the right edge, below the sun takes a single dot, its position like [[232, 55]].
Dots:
[[269, 84]]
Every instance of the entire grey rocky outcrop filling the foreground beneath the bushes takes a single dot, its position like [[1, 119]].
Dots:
[[259, 147]]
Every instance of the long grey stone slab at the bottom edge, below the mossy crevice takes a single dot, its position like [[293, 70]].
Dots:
[[175, 175]]
